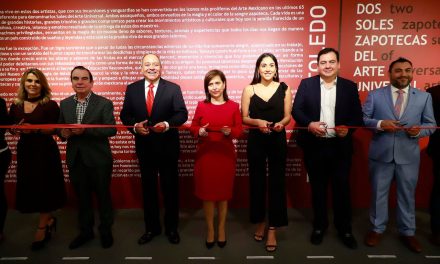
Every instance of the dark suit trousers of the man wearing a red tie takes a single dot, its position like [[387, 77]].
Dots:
[[164, 166]]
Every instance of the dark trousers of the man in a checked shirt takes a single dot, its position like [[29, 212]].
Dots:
[[87, 180]]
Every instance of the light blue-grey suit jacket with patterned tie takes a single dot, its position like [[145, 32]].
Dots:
[[398, 146]]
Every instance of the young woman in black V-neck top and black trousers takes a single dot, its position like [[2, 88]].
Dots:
[[266, 105]]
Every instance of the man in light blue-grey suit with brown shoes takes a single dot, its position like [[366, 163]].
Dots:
[[395, 113]]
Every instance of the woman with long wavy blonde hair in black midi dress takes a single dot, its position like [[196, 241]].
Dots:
[[40, 179]]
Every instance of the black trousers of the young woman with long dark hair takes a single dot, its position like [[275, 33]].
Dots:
[[273, 149]]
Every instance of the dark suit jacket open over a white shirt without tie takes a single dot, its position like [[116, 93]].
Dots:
[[307, 108]]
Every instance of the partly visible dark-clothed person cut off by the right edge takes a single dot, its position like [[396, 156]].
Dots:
[[434, 153]]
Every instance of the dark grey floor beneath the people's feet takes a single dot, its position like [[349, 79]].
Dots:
[[293, 242]]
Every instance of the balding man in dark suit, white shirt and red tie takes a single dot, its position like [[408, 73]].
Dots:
[[154, 107]]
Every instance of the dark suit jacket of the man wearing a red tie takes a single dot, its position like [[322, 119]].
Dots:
[[168, 106]]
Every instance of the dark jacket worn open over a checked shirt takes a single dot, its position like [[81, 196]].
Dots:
[[93, 145]]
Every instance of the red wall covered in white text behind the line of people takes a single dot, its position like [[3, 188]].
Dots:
[[192, 37]]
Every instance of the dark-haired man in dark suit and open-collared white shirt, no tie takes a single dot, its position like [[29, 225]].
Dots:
[[326, 104]]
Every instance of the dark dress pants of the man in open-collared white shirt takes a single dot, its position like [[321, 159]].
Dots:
[[328, 161]]
